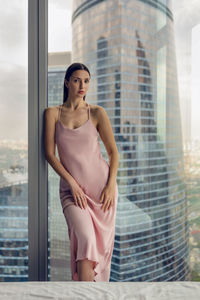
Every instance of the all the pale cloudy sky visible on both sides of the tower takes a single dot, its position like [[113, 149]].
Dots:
[[14, 59]]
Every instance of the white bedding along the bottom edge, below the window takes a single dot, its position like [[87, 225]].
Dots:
[[183, 290]]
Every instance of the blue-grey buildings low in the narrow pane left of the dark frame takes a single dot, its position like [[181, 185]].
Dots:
[[14, 225]]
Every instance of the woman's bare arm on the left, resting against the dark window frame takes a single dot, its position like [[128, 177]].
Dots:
[[49, 144]]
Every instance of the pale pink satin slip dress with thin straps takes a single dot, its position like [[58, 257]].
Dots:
[[91, 231]]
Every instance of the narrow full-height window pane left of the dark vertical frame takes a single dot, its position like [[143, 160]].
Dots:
[[14, 140]]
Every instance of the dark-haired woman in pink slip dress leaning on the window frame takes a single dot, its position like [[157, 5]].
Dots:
[[88, 187]]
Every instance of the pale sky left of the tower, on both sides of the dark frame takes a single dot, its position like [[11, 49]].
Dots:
[[14, 59]]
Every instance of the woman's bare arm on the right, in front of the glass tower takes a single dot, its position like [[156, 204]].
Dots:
[[106, 134]]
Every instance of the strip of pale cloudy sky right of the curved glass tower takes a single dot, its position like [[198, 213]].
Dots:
[[186, 15]]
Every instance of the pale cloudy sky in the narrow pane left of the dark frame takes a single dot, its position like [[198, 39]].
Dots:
[[13, 69]]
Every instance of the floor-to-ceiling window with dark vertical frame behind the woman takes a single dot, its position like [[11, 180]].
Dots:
[[145, 67]]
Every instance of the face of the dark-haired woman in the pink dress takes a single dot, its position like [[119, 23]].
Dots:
[[79, 80]]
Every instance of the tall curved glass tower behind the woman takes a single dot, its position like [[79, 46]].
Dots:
[[129, 49]]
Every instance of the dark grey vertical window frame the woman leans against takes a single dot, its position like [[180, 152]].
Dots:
[[37, 165]]
